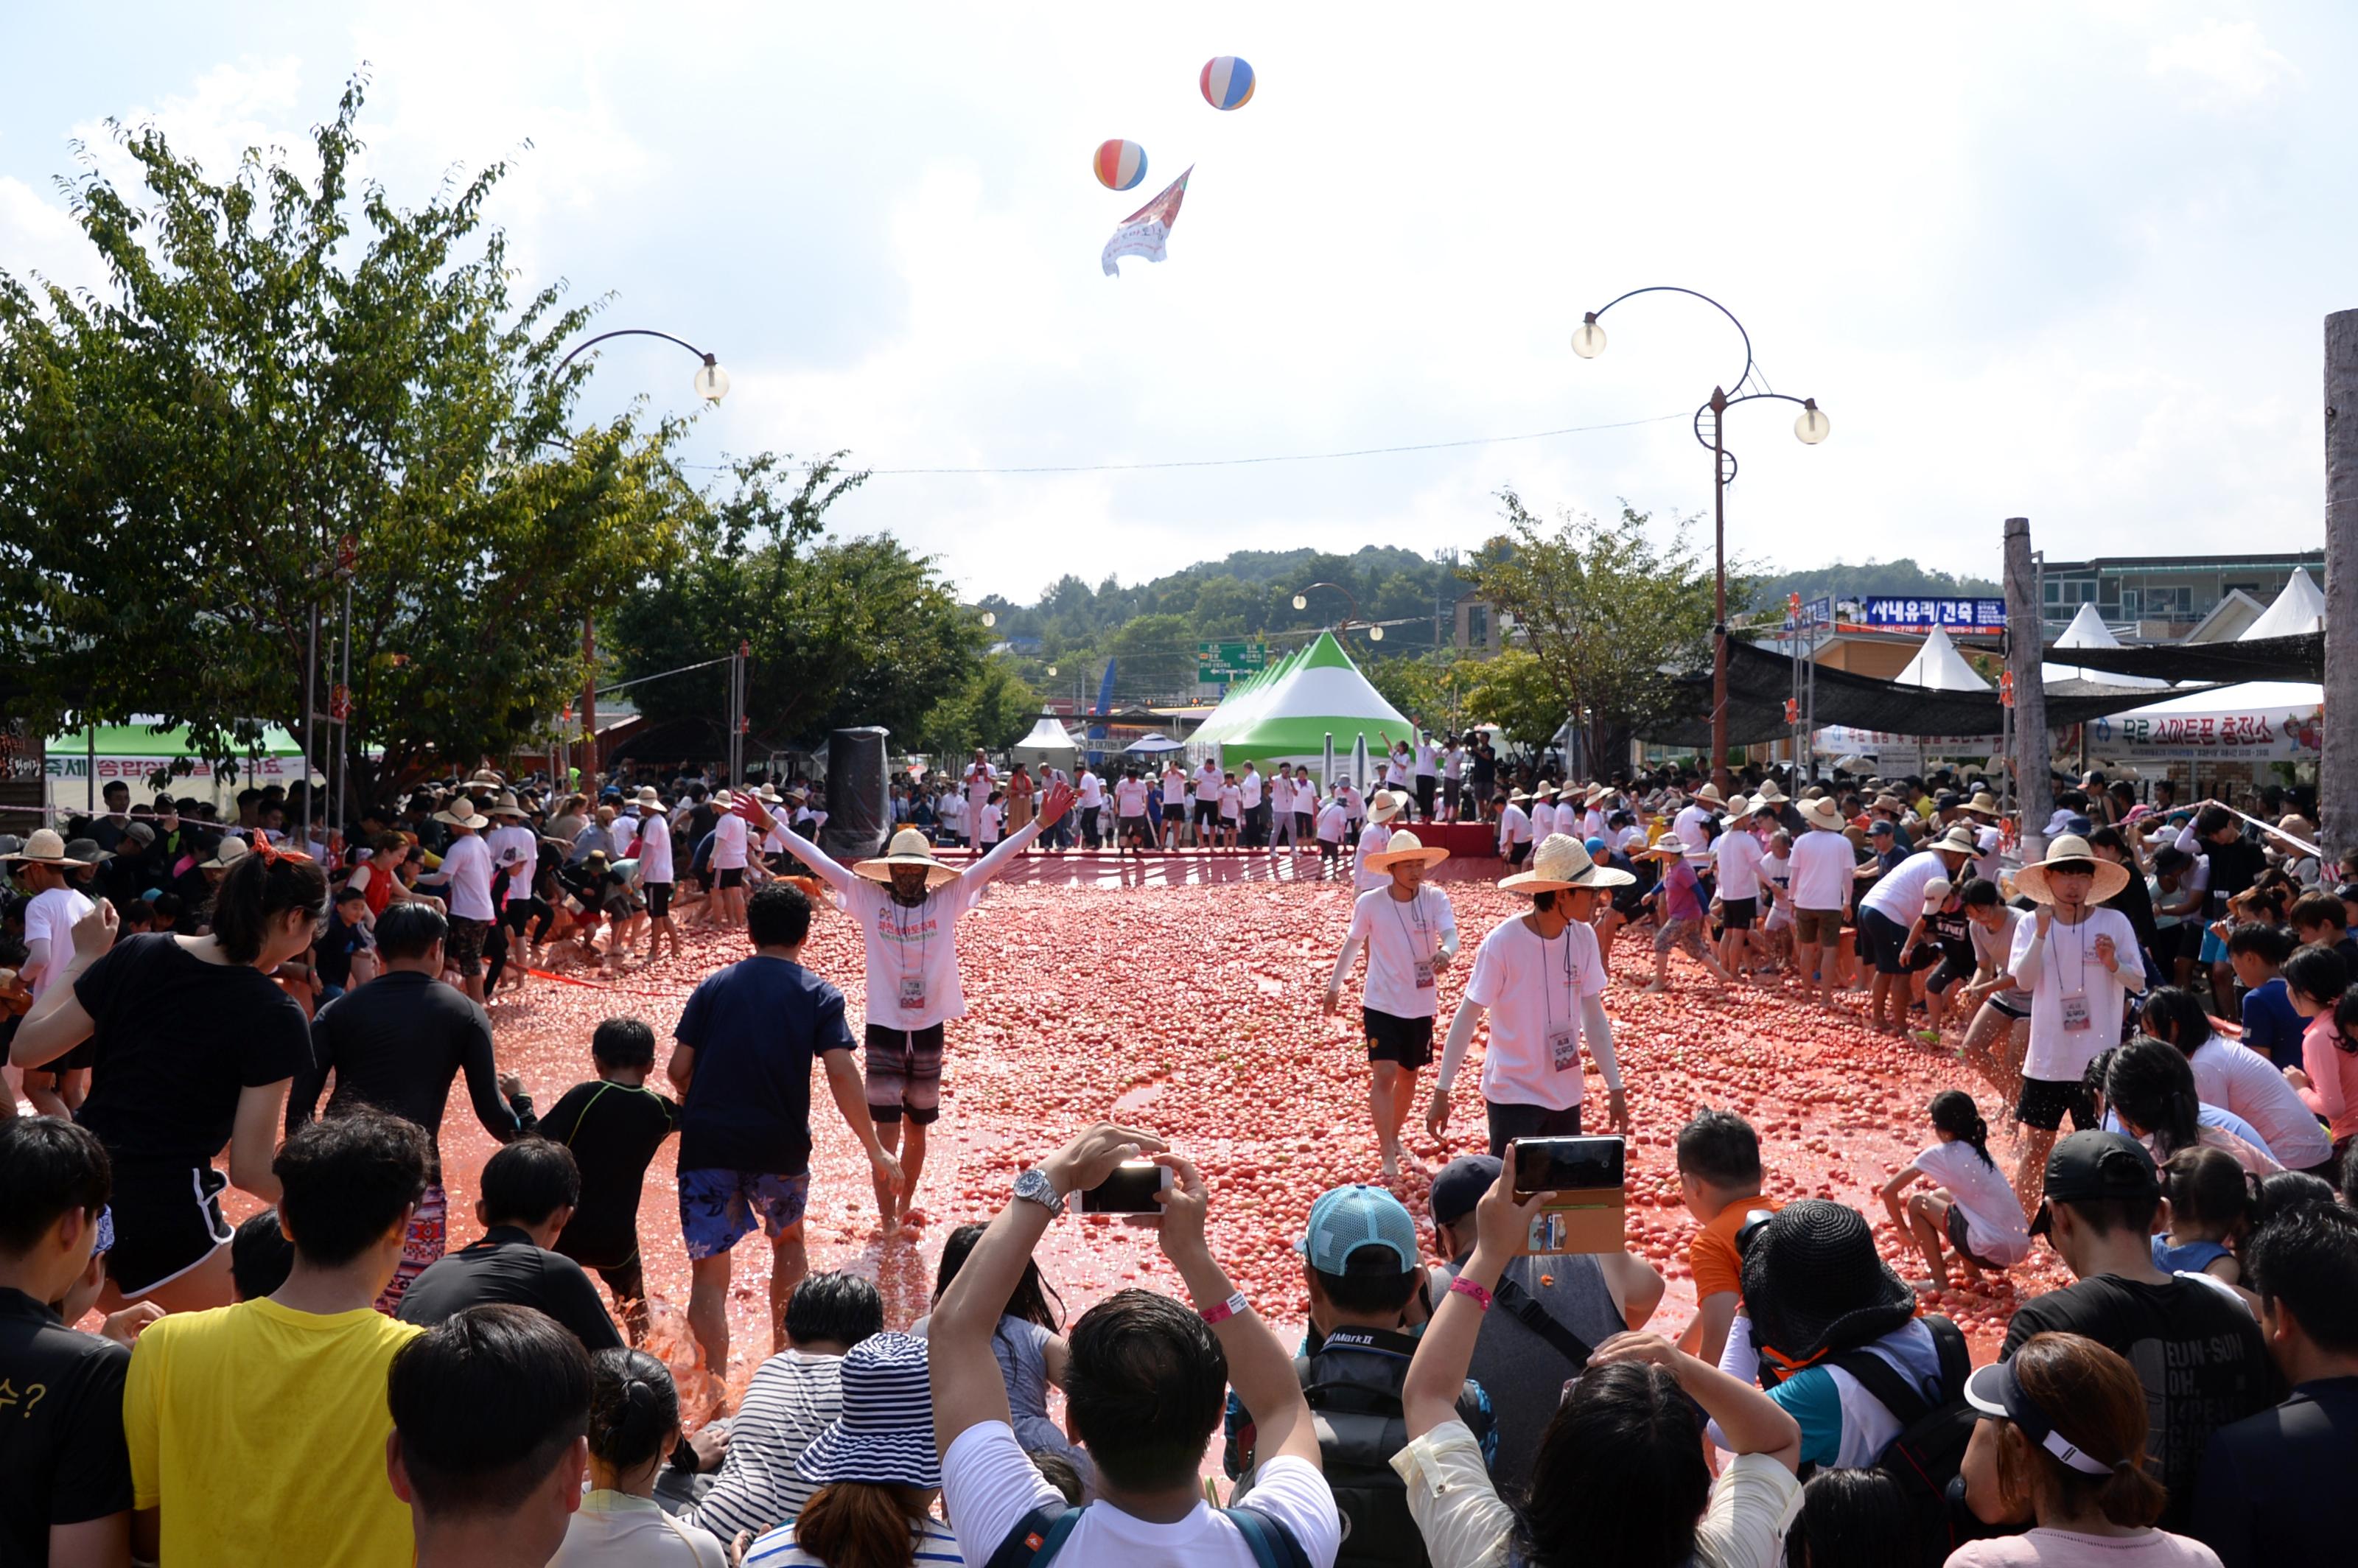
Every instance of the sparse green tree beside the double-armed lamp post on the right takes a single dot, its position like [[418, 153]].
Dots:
[[1612, 614]]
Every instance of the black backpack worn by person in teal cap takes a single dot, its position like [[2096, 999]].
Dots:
[[1352, 1388]]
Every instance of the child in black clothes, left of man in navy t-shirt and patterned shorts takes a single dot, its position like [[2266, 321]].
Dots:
[[614, 1126]]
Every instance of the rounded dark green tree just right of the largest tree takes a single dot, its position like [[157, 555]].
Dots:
[[838, 631]]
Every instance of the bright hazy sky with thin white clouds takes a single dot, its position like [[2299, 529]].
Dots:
[[2050, 261]]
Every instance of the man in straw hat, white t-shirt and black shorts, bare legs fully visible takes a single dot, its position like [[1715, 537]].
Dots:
[[1411, 937]]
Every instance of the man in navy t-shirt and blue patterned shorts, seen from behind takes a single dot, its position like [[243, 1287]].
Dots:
[[744, 1076]]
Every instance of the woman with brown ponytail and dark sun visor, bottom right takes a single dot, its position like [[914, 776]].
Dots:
[[2062, 1447]]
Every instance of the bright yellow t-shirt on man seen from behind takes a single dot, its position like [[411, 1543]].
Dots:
[[261, 1435]]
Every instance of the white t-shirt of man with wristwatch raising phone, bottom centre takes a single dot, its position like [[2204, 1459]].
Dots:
[[989, 1487]]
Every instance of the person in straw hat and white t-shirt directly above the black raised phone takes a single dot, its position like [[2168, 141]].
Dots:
[[1541, 982]]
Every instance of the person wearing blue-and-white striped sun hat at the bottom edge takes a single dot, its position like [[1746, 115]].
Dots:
[[878, 1473]]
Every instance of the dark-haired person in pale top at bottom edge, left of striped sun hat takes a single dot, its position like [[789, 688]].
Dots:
[[633, 1432]]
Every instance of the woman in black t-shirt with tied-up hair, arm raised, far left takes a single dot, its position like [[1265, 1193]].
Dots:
[[192, 1053]]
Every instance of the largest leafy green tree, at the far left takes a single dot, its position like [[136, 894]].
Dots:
[[197, 461]]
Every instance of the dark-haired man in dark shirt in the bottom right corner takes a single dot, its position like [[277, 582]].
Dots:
[[2274, 1484]]
